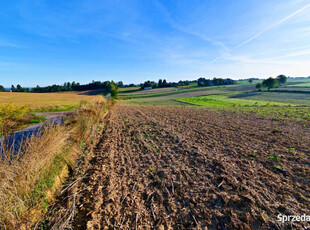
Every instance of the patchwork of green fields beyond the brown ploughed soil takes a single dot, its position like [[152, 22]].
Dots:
[[242, 97]]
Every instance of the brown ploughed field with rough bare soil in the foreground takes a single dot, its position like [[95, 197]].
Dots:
[[185, 168]]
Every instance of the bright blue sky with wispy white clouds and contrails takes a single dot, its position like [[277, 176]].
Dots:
[[52, 41]]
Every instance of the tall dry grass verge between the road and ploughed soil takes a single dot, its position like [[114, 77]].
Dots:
[[29, 178]]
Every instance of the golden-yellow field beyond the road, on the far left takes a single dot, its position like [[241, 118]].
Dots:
[[39, 101]]
